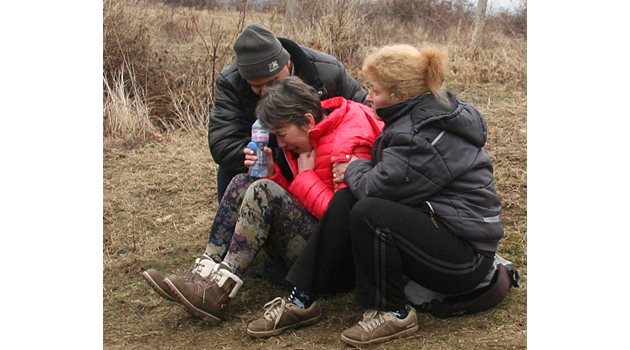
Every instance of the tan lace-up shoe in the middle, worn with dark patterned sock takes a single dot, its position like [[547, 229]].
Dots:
[[281, 314]]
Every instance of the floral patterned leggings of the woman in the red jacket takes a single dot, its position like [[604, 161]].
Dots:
[[254, 214]]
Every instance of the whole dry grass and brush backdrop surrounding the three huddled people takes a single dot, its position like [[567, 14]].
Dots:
[[160, 60]]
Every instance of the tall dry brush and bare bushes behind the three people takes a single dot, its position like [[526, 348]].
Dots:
[[176, 52]]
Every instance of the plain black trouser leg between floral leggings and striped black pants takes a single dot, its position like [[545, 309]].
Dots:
[[326, 265]]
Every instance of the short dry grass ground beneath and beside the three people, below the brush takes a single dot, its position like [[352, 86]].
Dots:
[[159, 201]]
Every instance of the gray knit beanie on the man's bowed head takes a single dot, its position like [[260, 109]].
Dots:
[[259, 53]]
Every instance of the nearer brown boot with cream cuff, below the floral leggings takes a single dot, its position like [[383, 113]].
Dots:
[[207, 297]]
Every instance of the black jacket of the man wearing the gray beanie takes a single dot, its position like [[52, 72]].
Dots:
[[233, 113]]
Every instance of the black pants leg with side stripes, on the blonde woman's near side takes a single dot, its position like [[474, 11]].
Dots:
[[390, 240]]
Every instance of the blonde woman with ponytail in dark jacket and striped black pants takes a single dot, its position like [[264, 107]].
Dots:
[[427, 207]]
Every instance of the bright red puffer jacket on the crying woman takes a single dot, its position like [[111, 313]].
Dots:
[[350, 129]]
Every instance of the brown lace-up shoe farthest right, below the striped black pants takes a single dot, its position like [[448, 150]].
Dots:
[[380, 326]]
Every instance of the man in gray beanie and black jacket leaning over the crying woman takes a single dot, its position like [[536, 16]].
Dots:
[[261, 60]]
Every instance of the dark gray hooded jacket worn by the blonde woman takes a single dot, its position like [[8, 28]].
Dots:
[[430, 156]]
